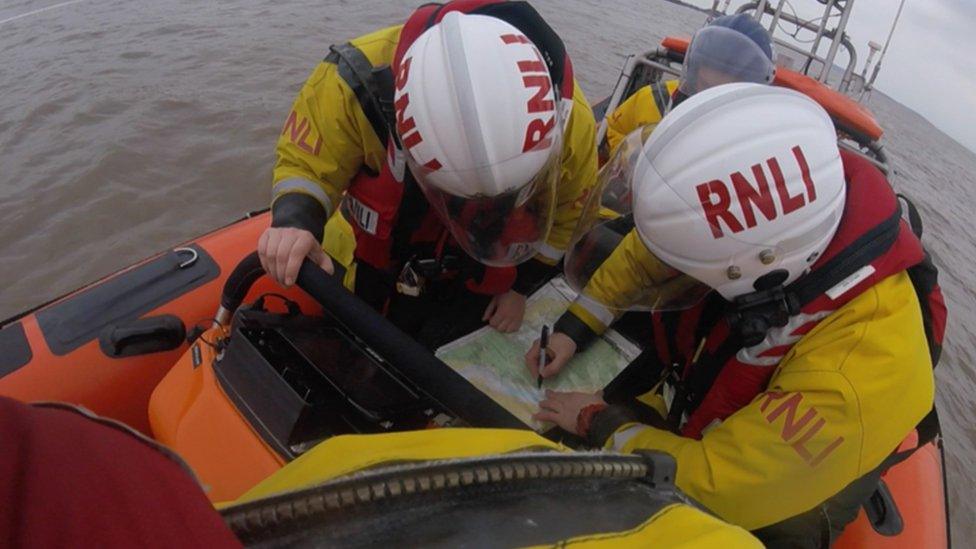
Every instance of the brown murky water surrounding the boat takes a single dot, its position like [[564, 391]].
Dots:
[[129, 126]]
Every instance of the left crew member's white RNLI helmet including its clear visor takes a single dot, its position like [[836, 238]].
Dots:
[[479, 119]]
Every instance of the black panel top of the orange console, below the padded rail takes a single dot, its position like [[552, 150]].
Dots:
[[299, 380]]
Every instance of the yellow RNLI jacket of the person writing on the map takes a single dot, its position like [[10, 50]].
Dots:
[[838, 404]]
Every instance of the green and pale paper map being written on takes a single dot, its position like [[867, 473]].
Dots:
[[495, 362]]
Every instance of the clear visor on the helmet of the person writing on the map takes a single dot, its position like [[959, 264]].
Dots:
[[599, 250]]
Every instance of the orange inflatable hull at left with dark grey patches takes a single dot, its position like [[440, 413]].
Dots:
[[120, 387]]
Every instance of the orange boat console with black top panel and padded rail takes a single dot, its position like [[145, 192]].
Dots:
[[266, 386]]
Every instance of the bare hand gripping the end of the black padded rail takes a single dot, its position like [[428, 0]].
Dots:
[[282, 251]]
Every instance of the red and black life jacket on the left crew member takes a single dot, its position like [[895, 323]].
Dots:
[[389, 215]]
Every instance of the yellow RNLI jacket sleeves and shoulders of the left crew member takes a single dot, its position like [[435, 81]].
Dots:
[[327, 139]]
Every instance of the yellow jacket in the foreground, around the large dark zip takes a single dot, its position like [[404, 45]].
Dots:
[[674, 525]]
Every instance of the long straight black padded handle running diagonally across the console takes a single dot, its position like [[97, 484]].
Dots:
[[410, 358]]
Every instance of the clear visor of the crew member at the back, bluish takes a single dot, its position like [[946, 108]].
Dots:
[[719, 55]]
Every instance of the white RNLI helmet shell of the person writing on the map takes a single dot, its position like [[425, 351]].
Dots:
[[738, 182]]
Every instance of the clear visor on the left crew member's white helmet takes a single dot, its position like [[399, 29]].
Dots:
[[502, 229]]
